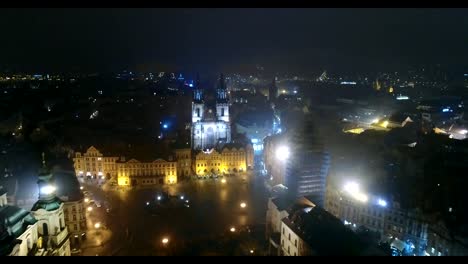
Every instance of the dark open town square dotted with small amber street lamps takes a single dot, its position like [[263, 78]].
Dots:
[[215, 207]]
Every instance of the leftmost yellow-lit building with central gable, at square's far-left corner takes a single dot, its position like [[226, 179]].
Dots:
[[94, 164]]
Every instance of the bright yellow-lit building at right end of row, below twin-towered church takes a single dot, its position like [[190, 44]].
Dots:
[[229, 159]]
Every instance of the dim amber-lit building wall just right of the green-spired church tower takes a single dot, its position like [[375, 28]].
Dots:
[[75, 219]]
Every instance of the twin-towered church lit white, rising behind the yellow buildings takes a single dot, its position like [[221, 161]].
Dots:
[[210, 116]]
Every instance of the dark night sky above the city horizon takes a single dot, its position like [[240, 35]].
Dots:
[[208, 39]]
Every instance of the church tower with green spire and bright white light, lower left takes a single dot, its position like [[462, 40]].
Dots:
[[48, 211]]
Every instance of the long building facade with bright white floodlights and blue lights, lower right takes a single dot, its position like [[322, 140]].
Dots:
[[407, 230]]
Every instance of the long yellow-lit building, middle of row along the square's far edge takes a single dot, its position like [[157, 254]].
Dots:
[[134, 172]]
